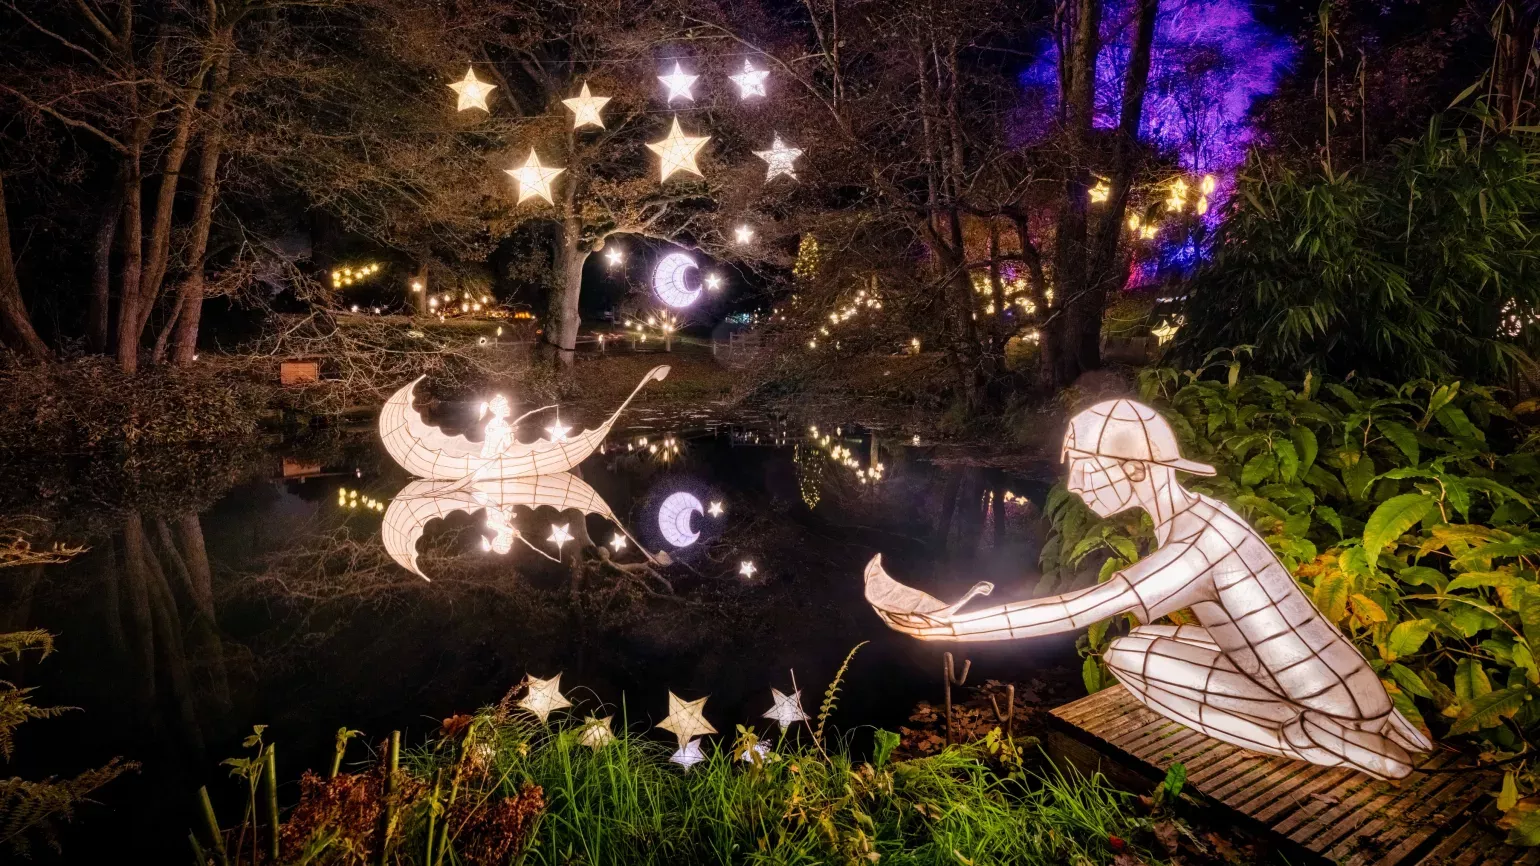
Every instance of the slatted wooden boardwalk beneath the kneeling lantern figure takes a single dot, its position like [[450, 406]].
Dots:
[[1339, 816]]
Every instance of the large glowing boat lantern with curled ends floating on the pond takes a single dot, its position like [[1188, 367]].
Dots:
[[427, 452]]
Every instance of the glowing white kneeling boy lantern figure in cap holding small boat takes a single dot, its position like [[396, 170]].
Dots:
[[1265, 671]]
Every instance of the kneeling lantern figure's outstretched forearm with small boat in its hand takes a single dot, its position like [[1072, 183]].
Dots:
[[923, 617]]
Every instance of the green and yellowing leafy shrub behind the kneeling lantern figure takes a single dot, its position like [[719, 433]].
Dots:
[[1407, 512]]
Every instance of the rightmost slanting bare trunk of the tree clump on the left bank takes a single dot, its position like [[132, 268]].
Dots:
[[190, 297]]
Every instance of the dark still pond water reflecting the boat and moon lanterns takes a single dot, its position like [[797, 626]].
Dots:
[[246, 588]]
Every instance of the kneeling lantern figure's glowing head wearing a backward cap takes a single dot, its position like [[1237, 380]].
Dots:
[[1120, 454]]
